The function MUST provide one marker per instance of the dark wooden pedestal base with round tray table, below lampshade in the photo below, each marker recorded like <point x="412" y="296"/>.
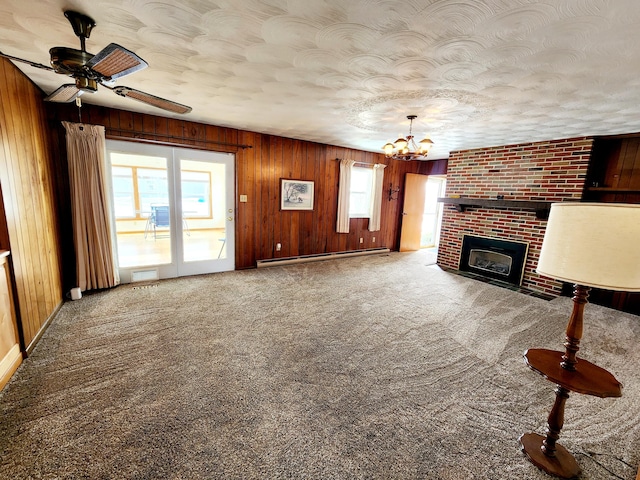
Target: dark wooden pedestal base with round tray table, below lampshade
<point x="569" y="375"/>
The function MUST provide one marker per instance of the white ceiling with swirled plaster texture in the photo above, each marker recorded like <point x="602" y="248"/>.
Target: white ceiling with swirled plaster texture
<point x="348" y="72"/>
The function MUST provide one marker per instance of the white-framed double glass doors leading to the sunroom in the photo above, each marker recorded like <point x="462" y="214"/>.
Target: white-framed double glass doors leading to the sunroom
<point x="173" y="210"/>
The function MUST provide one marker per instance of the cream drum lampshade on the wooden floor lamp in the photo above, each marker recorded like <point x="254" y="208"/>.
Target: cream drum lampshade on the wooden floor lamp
<point x="593" y="244"/>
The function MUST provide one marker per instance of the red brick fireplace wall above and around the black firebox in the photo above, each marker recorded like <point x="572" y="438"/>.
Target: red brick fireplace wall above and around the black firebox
<point x="544" y="171"/>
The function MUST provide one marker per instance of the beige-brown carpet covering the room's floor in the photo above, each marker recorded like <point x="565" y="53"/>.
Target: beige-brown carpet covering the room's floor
<point x="361" y="368"/>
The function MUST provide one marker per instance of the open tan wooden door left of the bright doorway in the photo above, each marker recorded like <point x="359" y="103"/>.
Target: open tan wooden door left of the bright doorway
<point x="413" y="209"/>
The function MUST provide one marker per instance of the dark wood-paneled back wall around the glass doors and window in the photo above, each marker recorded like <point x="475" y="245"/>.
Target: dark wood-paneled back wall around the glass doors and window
<point x="260" y="224"/>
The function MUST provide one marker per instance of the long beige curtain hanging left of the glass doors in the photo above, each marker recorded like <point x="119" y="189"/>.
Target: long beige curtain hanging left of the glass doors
<point x="92" y="236"/>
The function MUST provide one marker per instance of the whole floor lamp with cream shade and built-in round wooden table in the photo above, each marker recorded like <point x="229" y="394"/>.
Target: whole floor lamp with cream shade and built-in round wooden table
<point x="588" y="245"/>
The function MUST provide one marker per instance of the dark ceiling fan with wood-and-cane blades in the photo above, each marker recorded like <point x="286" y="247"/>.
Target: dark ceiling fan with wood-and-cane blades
<point x="89" y="70"/>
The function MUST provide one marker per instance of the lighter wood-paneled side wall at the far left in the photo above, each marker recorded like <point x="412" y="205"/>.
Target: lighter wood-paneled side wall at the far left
<point x="29" y="194"/>
